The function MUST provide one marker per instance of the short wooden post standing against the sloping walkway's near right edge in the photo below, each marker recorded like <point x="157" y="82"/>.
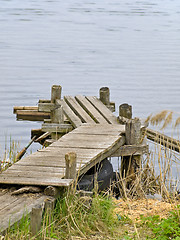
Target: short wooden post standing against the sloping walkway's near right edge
<point x="70" y="159"/>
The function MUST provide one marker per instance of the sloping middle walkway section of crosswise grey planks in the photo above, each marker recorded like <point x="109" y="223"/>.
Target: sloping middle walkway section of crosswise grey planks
<point x="47" y="167"/>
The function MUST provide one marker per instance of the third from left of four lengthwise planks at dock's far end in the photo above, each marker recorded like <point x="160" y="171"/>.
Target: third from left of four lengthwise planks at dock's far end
<point x="90" y="109"/>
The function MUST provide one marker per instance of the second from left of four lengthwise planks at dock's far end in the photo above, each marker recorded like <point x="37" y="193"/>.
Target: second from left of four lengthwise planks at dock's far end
<point x="78" y="110"/>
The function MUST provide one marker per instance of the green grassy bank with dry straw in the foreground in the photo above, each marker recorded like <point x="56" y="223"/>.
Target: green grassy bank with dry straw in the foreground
<point x="101" y="217"/>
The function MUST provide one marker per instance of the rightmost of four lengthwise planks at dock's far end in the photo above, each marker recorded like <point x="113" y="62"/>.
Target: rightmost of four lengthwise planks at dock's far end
<point x="105" y="112"/>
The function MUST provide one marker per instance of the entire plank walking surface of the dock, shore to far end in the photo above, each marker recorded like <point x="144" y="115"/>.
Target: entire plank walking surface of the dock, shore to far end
<point x="96" y="136"/>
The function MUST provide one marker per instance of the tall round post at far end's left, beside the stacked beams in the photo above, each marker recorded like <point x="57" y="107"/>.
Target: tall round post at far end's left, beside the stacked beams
<point x="57" y="115"/>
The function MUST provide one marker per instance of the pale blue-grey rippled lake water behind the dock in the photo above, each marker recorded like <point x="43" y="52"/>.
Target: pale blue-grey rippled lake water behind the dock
<point x="133" y="47"/>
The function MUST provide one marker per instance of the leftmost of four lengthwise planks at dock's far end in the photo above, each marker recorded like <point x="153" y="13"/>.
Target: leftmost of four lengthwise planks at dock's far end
<point x="72" y="117"/>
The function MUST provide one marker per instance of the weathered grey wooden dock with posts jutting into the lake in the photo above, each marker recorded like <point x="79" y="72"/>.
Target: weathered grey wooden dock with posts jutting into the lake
<point x="84" y="125"/>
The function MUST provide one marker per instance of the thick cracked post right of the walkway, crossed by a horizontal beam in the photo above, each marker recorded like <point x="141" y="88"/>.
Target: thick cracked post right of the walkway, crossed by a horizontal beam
<point x="133" y="137"/>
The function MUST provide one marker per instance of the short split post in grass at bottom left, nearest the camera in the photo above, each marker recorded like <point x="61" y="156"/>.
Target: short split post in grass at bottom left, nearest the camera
<point x="36" y="218"/>
